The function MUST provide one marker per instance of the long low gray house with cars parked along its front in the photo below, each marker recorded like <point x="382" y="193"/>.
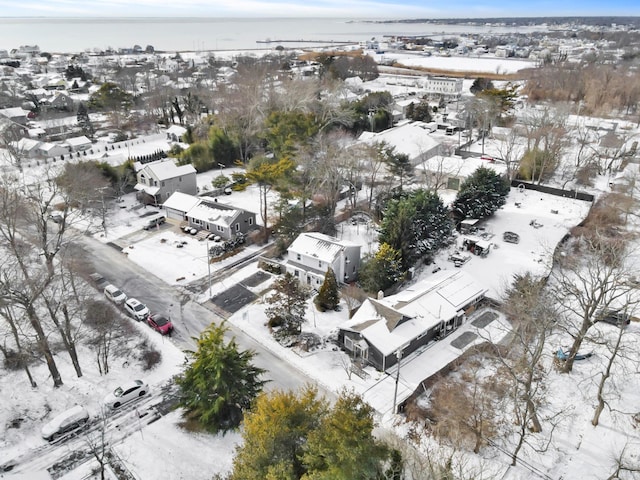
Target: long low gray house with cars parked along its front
<point x="209" y="215"/>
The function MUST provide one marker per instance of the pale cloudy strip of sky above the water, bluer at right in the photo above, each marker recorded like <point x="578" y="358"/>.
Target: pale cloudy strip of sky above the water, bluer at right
<point x="391" y="9"/>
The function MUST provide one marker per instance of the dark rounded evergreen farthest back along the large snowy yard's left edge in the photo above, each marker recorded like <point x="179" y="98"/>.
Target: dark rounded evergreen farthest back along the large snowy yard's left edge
<point x="480" y="195"/>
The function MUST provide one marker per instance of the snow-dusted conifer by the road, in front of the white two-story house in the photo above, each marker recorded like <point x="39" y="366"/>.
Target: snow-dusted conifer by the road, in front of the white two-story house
<point x="288" y="305"/>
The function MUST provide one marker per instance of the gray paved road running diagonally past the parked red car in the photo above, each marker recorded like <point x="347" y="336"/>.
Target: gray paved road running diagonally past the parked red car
<point x="189" y="317"/>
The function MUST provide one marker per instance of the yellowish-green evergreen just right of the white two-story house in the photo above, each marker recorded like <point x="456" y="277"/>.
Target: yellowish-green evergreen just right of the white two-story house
<point x="381" y="271"/>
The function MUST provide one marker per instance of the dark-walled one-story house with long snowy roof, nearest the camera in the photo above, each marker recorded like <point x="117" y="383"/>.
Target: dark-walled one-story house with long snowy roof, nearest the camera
<point x="384" y="329"/>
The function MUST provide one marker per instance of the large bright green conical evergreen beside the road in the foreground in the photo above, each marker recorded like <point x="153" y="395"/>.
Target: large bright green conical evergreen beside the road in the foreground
<point x="220" y="382"/>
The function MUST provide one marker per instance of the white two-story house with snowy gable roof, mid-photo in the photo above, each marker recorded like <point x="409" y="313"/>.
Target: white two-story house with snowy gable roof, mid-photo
<point x="312" y="254"/>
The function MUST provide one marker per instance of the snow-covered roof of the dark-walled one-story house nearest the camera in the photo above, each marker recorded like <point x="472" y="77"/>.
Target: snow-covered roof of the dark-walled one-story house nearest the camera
<point x="391" y="323"/>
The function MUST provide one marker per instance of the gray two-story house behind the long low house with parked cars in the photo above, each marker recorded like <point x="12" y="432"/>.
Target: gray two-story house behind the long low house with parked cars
<point x="158" y="180"/>
